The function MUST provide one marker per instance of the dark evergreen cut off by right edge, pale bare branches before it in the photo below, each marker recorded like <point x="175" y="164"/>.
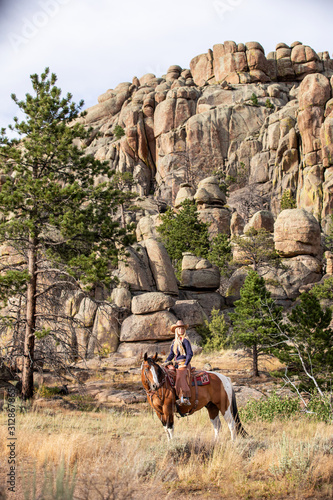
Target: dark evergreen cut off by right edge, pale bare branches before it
<point x="308" y="347"/>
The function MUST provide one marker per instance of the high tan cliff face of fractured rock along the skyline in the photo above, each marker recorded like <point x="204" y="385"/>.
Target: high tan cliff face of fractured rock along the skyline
<point x="235" y="112"/>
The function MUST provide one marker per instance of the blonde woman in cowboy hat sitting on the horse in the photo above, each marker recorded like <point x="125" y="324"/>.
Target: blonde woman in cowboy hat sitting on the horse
<point x="181" y="350"/>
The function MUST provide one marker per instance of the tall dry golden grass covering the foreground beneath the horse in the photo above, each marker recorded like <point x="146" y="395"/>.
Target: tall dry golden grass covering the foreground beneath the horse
<point x="118" y="455"/>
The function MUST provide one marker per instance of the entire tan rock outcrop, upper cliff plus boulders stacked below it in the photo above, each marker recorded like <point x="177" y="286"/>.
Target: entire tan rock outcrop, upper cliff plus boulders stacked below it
<point x="233" y="133"/>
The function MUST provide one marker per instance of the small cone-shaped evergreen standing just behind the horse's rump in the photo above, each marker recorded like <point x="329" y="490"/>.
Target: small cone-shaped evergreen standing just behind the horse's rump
<point x="254" y="320"/>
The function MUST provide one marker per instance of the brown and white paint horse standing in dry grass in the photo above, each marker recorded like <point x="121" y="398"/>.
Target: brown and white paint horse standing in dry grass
<point x="217" y="396"/>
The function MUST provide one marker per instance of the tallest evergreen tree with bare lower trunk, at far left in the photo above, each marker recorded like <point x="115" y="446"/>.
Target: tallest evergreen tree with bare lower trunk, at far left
<point x="52" y="213"/>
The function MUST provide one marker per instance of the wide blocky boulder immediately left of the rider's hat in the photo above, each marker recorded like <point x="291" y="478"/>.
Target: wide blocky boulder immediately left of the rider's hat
<point x="155" y="326"/>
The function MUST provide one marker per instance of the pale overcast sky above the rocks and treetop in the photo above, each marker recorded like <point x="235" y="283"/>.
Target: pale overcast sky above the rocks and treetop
<point x="92" y="45"/>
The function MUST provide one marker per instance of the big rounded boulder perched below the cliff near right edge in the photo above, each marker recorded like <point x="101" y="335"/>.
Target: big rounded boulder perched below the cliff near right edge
<point x="297" y="232"/>
